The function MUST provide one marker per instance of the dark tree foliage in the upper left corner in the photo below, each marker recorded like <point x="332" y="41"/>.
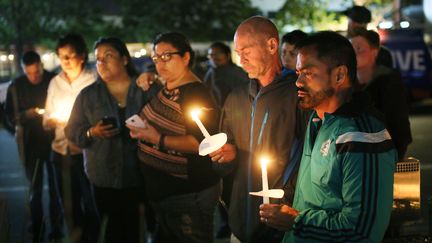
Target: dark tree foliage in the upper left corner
<point x="24" y="23"/>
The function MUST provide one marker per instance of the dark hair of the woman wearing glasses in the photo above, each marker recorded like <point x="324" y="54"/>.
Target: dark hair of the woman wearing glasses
<point x="177" y="40"/>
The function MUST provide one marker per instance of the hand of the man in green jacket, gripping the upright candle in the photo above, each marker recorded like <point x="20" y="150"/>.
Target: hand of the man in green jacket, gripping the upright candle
<point x="278" y="216"/>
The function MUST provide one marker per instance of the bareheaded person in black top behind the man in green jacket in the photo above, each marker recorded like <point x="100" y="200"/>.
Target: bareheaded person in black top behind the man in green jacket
<point x="385" y="87"/>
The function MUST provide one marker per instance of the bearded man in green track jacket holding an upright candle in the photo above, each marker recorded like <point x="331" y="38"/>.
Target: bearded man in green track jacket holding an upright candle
<point x="345" y="183"/>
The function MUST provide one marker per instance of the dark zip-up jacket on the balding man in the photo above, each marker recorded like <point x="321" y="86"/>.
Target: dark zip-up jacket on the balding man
<point x="262" y="122"/>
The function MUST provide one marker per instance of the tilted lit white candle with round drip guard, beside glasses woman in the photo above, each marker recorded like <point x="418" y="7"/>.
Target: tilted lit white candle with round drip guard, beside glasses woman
<point x="210" y="143"/>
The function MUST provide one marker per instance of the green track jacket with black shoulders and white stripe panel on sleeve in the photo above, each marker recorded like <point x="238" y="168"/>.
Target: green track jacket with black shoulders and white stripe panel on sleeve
<point x="345" y="183"/>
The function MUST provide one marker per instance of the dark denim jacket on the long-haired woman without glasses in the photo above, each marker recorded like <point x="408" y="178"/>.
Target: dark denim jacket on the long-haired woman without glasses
<point x="112" y="162"/>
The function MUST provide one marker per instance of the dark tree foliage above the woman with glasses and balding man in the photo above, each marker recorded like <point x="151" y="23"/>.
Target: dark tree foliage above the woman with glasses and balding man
<point x="203" y="20"/>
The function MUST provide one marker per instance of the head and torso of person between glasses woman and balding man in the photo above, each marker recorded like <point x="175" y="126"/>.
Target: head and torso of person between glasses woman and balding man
<point x="223" y="75"/>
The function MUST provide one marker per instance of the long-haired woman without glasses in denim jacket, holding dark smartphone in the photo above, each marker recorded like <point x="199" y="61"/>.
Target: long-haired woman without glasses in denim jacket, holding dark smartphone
<point x="97" y="126"/>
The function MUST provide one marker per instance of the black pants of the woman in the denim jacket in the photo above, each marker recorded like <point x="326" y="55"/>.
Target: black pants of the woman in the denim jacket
<point x="119" y="210"/>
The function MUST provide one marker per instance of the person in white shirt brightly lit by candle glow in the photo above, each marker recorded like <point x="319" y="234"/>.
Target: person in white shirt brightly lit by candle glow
<point x="62" y="92"/>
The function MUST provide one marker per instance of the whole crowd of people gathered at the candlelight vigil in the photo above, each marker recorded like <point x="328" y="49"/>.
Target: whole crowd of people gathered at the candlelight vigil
<point x="319" y="106"/>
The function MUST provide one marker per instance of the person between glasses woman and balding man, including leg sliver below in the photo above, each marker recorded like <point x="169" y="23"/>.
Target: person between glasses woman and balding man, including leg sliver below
<point x="221" y="78"/>
